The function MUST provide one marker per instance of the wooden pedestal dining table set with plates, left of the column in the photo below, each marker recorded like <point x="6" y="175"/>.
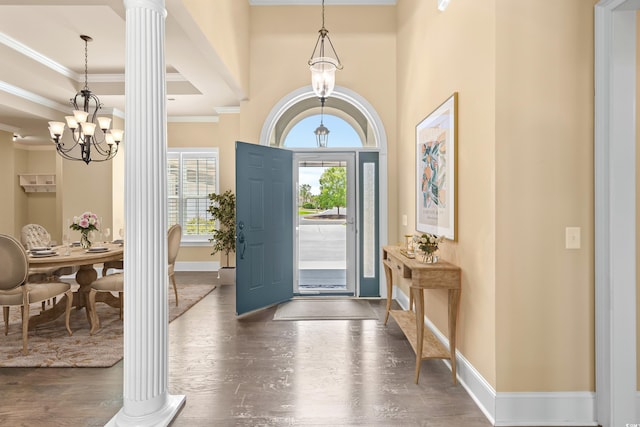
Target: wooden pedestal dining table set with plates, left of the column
<point x="85" y="260"/>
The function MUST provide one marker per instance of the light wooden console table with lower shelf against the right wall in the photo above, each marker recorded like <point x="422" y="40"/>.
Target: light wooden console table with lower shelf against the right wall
<point x="440" y="275"/>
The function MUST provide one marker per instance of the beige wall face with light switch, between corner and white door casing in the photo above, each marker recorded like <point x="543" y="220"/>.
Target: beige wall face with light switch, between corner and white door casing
<point x="544" y="183"/>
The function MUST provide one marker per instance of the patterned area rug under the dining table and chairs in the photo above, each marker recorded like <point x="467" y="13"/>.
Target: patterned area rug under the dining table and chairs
<point x="51" y="346"/>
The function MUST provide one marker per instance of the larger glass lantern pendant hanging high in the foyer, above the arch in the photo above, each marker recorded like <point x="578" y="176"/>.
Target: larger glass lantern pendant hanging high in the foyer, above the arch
<point x="324" y="63"/>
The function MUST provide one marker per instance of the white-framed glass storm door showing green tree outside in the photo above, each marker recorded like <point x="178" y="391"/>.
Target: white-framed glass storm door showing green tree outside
<point x="325" y="226"/>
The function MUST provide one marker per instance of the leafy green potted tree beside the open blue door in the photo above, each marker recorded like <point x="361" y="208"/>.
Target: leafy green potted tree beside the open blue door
<point x="222" y="208"/>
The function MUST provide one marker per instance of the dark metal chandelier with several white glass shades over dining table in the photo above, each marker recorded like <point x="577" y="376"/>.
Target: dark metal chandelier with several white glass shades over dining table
<point x="97" y="148"/>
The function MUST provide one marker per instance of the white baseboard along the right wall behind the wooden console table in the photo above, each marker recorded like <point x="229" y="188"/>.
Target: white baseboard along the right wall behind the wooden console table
<point x="517" y="409"/>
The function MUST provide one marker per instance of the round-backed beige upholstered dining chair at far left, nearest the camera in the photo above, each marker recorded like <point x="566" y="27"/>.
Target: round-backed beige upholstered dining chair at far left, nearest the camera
<point x="15" y="290"/>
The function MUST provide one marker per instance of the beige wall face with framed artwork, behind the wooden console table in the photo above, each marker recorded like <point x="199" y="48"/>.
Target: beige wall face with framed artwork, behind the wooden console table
<point x="429" y="71"/>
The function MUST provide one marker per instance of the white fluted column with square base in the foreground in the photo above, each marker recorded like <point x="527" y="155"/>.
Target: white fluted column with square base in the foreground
<point x="146" y="401"/>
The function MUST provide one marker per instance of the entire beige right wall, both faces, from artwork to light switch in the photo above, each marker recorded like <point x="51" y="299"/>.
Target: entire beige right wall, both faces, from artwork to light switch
<point x="524" y="74"/>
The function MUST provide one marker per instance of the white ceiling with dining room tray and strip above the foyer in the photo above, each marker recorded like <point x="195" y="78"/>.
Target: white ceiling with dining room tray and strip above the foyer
<point x="42" y="59"/>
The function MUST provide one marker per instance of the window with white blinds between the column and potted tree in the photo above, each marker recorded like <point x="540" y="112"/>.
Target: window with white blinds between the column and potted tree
<point x="191" y="176"/>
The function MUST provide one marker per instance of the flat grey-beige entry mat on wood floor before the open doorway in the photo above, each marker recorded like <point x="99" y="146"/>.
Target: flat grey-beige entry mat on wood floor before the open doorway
<point x="325" y="309"/>
